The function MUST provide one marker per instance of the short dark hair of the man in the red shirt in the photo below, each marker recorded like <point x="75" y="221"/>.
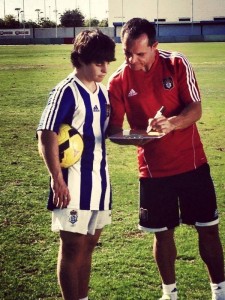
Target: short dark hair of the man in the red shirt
<point x="137" y="26"/>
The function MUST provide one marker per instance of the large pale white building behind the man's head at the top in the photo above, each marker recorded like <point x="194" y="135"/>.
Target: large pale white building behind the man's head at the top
<point x="166" y="10"/>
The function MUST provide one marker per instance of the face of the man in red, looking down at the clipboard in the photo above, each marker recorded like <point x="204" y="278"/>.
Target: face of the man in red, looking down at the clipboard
<point x="139" y="55"/>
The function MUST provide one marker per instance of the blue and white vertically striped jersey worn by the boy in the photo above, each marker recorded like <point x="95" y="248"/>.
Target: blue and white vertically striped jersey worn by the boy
<point x="72" y="103"/>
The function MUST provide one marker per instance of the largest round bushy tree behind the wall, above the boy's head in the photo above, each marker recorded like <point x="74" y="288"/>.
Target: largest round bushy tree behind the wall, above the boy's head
<point x="72" y="18"/>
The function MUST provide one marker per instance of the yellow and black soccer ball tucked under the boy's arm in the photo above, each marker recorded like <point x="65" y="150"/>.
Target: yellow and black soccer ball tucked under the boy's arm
<point x="70" y="145"/>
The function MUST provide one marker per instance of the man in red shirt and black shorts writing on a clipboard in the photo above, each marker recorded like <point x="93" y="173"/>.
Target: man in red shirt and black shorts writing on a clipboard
<point x="175" y="182"/>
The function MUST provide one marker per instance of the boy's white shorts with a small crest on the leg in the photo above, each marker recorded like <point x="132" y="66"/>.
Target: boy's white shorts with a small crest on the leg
<point x="80" y="221"/>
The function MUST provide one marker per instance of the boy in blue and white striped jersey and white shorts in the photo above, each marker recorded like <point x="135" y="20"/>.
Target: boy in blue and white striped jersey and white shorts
<point x="80" y="196"/>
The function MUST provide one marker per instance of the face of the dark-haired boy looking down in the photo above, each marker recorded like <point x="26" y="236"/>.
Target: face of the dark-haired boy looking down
<point x="94" y="71"/>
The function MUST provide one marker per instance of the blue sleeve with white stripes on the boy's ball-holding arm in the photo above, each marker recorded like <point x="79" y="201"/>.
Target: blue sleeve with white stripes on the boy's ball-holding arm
<point x="59" y="109"/>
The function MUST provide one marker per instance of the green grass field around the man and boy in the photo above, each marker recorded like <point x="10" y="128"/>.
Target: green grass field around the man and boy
<point x="123" y="266"/>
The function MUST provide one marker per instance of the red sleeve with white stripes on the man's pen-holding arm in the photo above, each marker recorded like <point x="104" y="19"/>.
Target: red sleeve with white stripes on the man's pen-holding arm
<point x="187" y="83"/>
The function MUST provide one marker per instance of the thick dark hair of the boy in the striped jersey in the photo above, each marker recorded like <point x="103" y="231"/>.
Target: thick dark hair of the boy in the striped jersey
<point x="92" y="46"/>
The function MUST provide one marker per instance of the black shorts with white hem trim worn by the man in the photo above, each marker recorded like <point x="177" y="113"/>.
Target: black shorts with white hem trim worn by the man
<point x="185" y="198"/>
